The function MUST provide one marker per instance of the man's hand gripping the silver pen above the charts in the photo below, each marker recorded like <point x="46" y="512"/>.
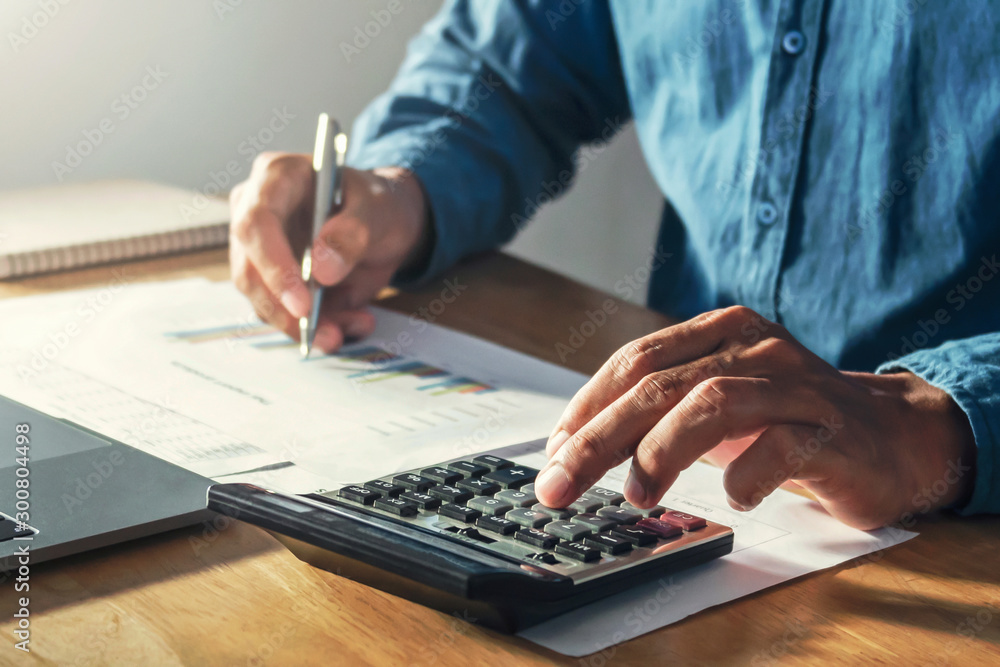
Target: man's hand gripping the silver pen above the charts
<point x="381" y="227"/>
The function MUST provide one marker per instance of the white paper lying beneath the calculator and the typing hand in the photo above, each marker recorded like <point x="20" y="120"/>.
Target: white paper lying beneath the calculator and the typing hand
<point x="786" y="537"/>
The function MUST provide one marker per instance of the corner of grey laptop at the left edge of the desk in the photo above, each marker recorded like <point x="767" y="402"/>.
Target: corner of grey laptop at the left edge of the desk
<point x="65" y="489"/>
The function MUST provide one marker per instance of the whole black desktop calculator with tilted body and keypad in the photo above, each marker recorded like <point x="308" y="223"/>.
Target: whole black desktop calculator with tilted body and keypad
<point x="468" y="536"/>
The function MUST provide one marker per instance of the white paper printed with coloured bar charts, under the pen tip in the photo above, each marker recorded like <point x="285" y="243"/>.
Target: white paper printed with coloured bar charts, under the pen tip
<point x="184" y="371"/>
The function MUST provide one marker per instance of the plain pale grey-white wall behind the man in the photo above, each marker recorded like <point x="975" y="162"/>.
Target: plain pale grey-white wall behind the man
<point x="225" y="66"/>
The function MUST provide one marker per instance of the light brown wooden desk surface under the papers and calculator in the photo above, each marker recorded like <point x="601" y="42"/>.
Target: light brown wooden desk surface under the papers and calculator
<point x="235" y="596"/>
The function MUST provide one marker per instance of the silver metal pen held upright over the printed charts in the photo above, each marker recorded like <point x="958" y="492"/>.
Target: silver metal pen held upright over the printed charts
<point x="328" y="165"/>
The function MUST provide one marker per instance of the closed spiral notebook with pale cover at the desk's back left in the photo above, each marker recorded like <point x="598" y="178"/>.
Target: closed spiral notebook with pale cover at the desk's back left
<point x="72" y="226"/>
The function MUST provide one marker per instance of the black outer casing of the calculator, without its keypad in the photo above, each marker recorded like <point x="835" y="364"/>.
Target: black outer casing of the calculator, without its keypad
<point x="419" y="565"/>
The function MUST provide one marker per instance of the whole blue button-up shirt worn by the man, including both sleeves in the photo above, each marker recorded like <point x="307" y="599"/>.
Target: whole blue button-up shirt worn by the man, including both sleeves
<point x="833" y="165"/>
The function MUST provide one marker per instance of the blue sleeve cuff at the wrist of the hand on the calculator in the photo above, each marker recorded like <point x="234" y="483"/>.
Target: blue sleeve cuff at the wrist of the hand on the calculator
<point x="969" y="371"/>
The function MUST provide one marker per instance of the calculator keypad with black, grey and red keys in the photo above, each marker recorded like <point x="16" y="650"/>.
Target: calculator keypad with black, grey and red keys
<point x="489" y="502"/>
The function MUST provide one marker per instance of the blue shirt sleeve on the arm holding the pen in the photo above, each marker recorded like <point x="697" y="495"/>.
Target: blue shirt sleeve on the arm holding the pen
<point x="488" y="109"/>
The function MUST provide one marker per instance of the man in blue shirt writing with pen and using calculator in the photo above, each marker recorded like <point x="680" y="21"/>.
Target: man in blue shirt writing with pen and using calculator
<point x="829" y="166"/>
